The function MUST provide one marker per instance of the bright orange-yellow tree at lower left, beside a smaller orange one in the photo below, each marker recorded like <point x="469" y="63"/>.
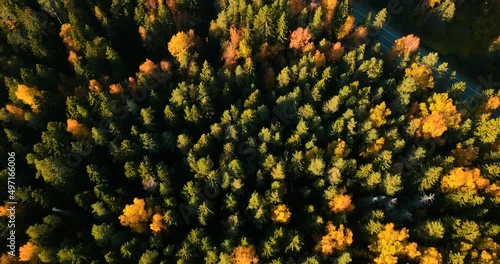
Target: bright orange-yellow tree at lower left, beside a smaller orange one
<point x="136" y="216"/>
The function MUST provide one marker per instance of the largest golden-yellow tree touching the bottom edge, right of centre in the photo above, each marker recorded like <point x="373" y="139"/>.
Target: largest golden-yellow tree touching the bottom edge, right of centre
<point x="392" y="243"/>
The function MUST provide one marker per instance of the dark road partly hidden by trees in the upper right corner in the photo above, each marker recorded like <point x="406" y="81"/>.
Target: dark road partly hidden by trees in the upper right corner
<point x="388" y="35"/>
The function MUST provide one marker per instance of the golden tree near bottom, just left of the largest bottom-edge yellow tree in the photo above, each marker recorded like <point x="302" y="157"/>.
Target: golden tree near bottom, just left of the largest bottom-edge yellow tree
<point x="335" y="239"/>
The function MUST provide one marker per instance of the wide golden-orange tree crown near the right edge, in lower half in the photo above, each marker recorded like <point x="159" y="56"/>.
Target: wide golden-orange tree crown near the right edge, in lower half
<point x="463" y="180"/>
